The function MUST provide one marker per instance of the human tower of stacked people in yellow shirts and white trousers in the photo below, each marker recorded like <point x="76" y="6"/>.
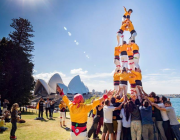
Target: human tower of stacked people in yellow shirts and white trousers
<point x="126" y="59"/>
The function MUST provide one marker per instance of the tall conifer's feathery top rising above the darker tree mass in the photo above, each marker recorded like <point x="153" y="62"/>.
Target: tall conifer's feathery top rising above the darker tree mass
<point x="22" y="34"/>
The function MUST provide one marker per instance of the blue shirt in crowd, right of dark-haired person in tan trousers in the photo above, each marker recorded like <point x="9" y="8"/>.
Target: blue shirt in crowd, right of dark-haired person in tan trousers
<point x="146" y="114"/>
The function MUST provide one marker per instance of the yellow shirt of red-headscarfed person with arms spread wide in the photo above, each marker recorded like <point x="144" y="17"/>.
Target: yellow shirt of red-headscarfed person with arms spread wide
<point x="79" y="115"/>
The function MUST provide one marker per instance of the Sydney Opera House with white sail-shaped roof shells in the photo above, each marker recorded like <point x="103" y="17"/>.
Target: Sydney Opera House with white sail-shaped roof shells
<point x="75" y="86"/>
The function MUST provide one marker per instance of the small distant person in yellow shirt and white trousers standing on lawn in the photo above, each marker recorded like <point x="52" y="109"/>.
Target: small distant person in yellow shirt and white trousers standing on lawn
<point x="62" y="107"/>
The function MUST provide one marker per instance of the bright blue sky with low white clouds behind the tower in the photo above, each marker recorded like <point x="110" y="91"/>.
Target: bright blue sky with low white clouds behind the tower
<point x="93" y="24"/>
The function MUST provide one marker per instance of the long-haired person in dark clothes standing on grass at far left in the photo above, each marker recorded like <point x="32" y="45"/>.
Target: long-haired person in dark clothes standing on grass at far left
<point x="14" y="119"/>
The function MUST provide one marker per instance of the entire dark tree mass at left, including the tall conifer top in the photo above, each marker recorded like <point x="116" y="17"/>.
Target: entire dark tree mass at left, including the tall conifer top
<point x="16" y="67"/>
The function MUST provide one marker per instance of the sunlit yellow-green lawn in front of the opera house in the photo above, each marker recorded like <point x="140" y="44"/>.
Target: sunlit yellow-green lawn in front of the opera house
<point x="40" y="130"/>
